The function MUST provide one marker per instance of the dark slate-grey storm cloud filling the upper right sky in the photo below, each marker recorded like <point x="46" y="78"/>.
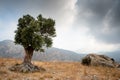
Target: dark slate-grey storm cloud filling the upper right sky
<point x="102" y="17"/>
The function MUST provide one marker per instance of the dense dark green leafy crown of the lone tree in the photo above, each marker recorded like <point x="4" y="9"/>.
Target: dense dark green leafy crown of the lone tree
<point x="35" y="33"/>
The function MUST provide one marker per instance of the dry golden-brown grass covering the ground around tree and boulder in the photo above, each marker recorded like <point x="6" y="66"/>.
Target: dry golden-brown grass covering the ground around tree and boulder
<point x="58" y="71"/>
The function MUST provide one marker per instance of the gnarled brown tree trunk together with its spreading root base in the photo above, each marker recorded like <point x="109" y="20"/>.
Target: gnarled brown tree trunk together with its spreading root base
<point x="27" y="66"/>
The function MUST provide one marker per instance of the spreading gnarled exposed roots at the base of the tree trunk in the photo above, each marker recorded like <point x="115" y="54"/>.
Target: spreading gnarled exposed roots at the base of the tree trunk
<point x="26" y="67"/>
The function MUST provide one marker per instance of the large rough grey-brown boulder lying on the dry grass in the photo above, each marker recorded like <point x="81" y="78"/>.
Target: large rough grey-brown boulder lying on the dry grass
<point x="98" y="60"/>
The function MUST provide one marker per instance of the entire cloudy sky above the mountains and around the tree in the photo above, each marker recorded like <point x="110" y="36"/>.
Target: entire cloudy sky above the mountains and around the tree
<point x="84" y="26"/>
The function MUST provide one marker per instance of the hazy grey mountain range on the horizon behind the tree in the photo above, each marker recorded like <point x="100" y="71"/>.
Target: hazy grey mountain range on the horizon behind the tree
<point x="8" y="49"/>
